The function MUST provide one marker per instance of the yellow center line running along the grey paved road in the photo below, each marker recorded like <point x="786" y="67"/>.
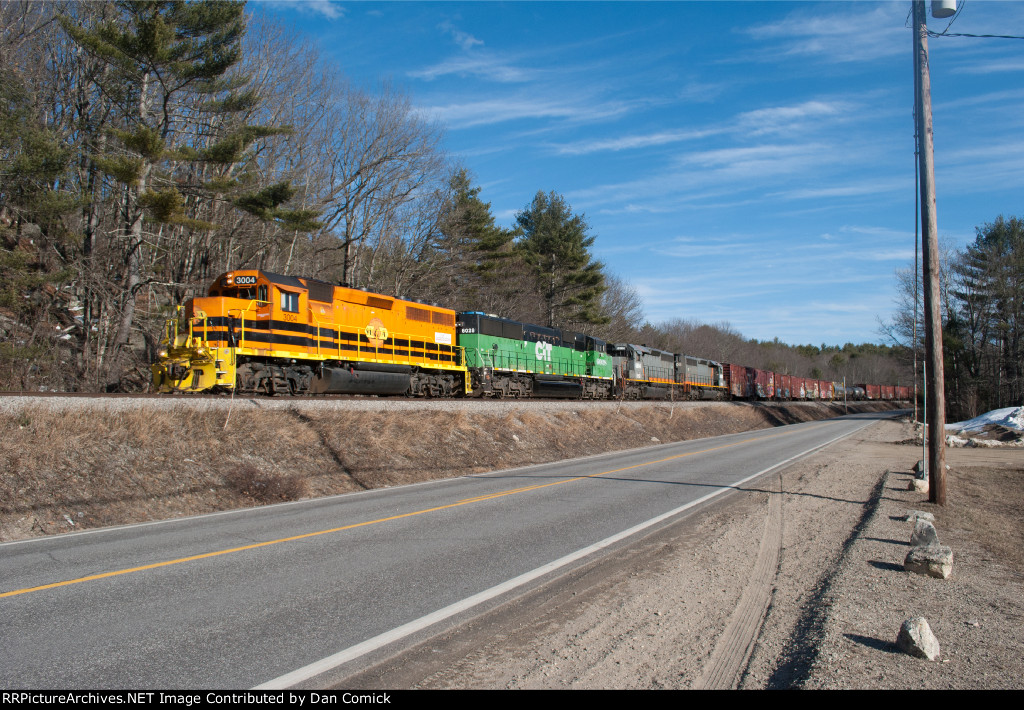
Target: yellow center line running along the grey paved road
<point x="465" y="502"/>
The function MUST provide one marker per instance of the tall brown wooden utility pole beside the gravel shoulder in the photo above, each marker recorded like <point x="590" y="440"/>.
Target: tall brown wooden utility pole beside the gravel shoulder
<point x="935" y="407"/>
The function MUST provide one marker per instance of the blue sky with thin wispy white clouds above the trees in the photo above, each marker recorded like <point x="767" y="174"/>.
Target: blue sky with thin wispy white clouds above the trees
<point x="741" y="162"/>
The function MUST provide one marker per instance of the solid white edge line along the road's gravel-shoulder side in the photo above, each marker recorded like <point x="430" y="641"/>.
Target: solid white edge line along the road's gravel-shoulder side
<point x="400" y="633"/>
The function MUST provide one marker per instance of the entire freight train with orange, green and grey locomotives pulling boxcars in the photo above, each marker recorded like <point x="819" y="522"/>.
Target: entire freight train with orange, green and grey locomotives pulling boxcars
<point x="264" y="333"/>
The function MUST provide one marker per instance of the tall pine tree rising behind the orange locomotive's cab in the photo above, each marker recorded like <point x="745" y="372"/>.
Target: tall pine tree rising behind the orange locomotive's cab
<point x="175" y="147"/>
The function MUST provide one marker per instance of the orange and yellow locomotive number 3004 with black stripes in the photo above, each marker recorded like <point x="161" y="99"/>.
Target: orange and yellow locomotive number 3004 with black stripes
<point x="273" y="335"/>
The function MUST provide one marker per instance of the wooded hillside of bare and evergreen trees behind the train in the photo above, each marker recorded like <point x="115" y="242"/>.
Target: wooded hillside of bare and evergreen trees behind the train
<point x="147" y="147"/>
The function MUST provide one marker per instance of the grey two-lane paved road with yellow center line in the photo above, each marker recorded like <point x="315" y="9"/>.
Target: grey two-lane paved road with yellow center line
<point x="265" y="596"/>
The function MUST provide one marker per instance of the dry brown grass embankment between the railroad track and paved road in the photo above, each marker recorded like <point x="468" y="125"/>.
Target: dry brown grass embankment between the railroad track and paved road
<point x="97" y="468"/>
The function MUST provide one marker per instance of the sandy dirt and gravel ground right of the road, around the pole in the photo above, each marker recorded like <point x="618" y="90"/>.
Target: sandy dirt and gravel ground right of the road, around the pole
<point x="797" y="581"/>
